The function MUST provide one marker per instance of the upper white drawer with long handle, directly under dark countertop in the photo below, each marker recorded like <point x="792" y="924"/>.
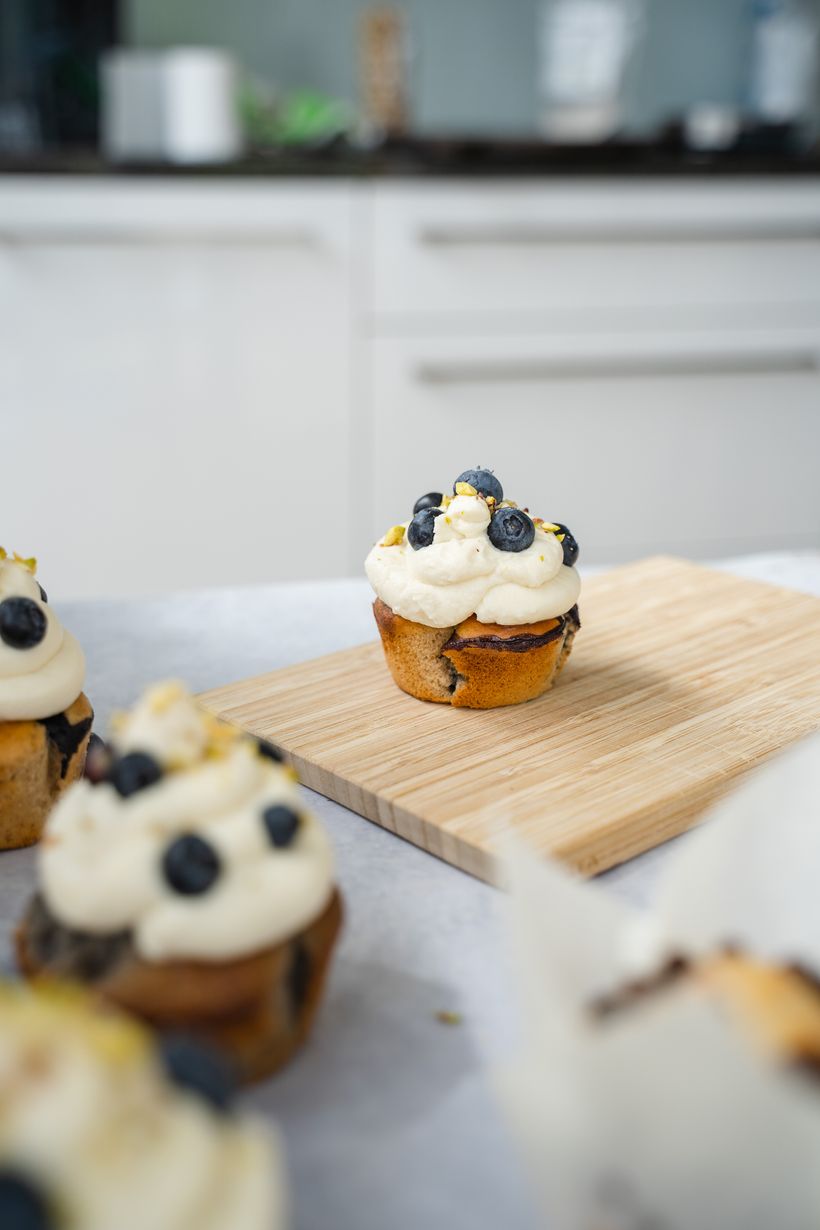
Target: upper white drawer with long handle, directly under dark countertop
<point x="495" y="250"/>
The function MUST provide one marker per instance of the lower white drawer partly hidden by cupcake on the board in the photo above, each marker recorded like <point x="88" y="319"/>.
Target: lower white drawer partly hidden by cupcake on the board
<point x="696" y="445"/>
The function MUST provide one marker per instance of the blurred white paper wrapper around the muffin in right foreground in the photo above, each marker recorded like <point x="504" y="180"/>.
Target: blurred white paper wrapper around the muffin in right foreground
<point x="666" y="1115"/>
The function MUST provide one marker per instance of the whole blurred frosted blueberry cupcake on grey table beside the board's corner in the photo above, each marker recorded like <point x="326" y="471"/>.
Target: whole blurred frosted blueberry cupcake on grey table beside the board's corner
<point x="185" y="881"/>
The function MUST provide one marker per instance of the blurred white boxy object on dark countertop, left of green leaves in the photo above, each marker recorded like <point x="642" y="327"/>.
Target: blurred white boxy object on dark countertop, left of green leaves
<point x="176" y="106"/>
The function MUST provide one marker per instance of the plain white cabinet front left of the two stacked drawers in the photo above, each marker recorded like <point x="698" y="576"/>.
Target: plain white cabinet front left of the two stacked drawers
<point x="175" y="365"/>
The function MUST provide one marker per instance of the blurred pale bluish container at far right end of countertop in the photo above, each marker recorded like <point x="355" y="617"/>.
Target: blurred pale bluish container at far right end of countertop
<point x="784" y="61"/>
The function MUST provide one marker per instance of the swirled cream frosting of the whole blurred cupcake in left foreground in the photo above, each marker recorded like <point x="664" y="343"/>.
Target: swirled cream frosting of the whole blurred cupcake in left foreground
<point x="103" y="857"/>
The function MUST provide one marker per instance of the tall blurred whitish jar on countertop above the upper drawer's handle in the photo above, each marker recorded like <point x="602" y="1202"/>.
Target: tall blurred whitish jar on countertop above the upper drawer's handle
<point x="585" y="51"/>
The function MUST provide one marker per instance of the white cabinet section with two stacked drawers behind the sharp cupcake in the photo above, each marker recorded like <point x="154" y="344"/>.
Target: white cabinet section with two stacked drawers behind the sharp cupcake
<point x="637" y="359"/>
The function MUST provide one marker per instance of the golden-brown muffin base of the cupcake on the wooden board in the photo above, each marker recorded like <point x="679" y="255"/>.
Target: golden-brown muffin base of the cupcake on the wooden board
<point x="475" y="666"/>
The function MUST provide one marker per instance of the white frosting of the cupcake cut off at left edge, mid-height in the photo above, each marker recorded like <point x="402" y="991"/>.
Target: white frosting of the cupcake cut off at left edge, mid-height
<point x="46" y="680"/>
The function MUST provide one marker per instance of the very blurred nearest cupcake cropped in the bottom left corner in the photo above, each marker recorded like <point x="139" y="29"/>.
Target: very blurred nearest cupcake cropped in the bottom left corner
<point x="99" y="1130"/>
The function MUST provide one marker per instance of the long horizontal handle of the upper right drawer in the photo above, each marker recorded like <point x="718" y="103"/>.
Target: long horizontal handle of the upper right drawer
<point x="618" y="233"/>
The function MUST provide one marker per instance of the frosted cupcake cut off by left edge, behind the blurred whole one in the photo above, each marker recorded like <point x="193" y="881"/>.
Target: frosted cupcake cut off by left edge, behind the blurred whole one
<point x="45" y="716"/>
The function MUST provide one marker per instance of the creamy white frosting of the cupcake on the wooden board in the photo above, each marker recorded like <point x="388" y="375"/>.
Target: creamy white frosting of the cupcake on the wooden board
<point x="462" y="574"/>
